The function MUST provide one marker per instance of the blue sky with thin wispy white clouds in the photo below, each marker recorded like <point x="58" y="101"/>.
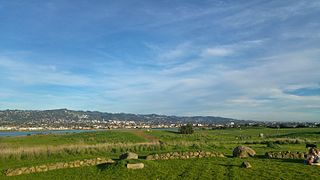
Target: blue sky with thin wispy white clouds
<point x="256" y="60"/>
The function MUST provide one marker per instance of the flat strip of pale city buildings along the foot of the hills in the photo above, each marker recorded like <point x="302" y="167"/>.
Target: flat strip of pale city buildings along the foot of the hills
<point x="117" y="124"/>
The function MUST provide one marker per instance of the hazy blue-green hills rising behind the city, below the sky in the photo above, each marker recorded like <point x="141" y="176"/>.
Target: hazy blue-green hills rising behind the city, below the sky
<point x="71" y="116"/>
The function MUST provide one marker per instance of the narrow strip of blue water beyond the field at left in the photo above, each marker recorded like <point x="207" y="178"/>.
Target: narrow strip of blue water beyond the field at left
<point x="28" y="133"/>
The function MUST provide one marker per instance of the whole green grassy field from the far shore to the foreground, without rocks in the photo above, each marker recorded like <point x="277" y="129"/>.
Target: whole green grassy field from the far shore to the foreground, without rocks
<point x="40" y="149"/>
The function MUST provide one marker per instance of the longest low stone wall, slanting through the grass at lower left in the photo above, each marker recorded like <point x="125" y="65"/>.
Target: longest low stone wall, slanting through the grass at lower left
<point x="58" y="165"/>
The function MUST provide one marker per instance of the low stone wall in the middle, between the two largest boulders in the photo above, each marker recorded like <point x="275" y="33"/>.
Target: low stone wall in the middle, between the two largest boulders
<point x="183" y="155"/>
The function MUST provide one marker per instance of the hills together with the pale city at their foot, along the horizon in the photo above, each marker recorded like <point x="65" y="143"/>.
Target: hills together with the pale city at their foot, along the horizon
<point x="64" y="119"/>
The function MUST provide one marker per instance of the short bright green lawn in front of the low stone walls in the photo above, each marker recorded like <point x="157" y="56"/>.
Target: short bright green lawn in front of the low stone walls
<point x="205" y="168"/>
